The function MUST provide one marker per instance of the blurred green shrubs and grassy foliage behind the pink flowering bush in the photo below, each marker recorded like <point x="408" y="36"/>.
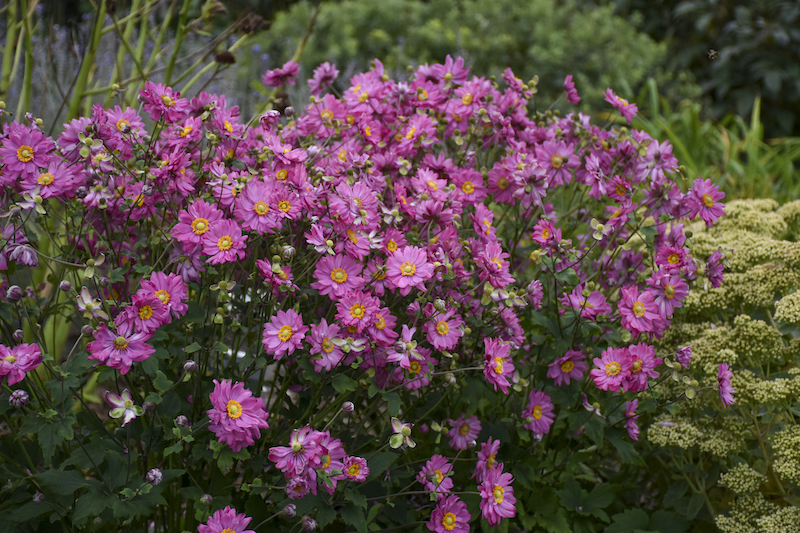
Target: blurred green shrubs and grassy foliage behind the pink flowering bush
<point x="719" y="78"/>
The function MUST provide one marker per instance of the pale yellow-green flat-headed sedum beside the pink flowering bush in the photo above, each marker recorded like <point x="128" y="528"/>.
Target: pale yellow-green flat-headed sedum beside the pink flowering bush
<point x="737" y="464"/>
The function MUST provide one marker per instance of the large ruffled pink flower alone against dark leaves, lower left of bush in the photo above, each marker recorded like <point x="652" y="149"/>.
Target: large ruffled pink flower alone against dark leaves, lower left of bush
<point x="236" y="417"/>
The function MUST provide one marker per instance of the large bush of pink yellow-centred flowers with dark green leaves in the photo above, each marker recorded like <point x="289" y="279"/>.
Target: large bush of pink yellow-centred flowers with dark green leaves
<point x="416" y="304"/>
